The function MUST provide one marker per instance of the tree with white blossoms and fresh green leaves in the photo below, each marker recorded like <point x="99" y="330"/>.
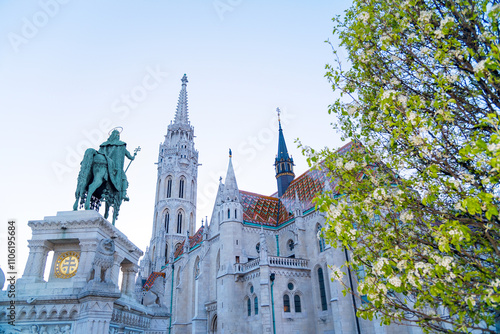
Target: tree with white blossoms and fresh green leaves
<point x="418" y="196"/>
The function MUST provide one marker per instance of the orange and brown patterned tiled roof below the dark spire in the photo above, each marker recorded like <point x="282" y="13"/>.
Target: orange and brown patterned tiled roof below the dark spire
<point x="261" y="209"/>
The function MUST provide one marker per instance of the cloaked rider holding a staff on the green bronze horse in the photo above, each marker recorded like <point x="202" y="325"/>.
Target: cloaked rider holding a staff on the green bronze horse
<point x="115" y="152"/>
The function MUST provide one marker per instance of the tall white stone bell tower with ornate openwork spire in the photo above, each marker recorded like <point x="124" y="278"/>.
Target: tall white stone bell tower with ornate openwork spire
<point x="176" y="188"/>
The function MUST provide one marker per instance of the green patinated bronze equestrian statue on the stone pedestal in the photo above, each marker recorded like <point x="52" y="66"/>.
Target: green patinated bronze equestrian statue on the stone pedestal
<point x="102" y="178"/>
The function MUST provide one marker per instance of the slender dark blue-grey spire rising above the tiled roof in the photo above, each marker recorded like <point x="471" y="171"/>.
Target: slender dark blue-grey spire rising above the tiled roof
<point x="283" y="163"/>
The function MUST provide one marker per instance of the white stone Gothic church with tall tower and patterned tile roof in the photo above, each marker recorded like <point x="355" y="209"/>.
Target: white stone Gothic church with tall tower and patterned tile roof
<point x="257" y="265"/>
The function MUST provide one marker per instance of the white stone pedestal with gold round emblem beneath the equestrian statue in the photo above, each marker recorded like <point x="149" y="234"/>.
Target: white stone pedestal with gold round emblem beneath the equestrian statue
<point x="81" y="294"/>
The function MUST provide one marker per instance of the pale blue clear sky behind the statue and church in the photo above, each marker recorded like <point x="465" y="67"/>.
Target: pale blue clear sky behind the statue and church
<point x="71" y="70"/>
